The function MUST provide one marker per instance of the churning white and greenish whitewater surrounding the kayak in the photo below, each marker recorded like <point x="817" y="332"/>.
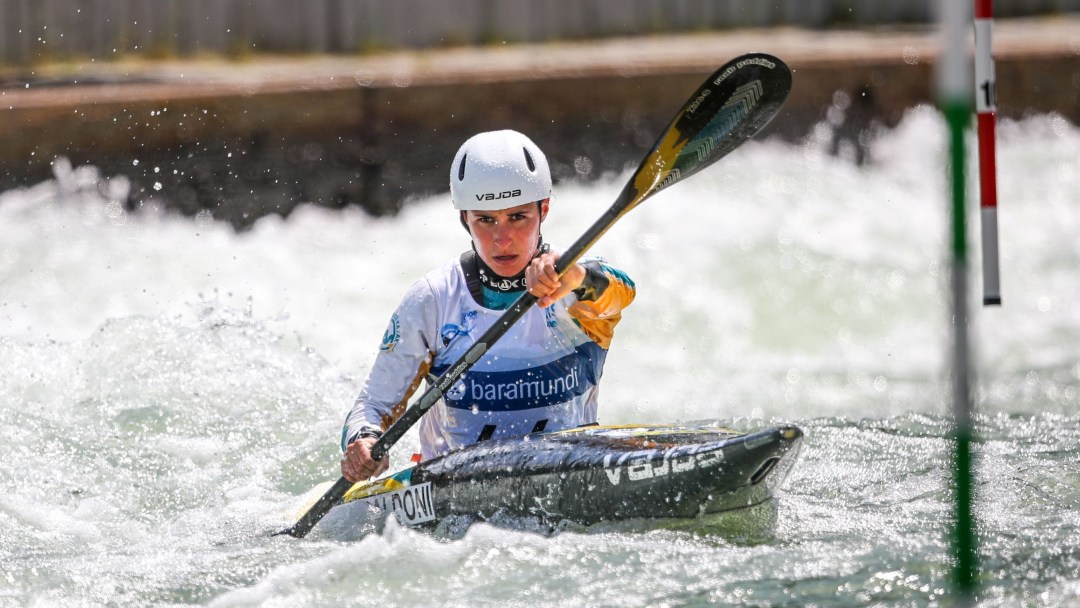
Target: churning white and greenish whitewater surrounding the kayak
<point x="172" y="388"/>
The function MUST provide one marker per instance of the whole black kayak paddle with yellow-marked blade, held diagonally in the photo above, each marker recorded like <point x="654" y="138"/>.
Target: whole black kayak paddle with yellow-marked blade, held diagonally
<point x="728" y="110"/>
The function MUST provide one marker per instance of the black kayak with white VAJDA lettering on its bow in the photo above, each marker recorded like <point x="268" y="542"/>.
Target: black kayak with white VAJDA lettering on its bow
<point x="587" y="476"/>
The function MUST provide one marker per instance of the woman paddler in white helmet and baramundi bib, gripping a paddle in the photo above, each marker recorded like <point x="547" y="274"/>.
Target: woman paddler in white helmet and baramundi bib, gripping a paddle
<point x="543" y="375"/>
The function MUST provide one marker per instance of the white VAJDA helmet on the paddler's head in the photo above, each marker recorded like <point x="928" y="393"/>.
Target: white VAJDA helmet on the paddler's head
<point x="498" y="170"/>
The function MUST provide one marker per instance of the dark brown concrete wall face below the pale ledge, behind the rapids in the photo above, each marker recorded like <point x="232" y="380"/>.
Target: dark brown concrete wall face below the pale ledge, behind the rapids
<point x="244" y="156"/>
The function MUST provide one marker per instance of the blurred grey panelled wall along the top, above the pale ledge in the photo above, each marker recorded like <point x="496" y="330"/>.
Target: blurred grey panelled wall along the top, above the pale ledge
<point x="37" y="31"/>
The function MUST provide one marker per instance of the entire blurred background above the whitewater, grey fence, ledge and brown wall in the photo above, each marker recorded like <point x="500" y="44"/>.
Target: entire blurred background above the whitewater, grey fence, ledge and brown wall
<point x="242" y="109"/>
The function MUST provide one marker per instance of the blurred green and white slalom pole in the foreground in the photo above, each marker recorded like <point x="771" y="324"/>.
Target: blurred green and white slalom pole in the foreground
<point x="954" y="93"/>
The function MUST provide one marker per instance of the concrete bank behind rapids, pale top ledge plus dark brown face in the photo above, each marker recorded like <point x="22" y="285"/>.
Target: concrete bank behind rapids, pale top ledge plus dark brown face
<point x="242" y="140"/>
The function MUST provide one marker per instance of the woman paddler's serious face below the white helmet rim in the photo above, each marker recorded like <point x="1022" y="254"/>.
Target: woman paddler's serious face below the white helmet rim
<point x="507" y="239"/>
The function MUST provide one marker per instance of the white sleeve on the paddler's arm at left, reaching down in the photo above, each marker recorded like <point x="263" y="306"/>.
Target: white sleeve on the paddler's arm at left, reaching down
<point x="404" y="359"/>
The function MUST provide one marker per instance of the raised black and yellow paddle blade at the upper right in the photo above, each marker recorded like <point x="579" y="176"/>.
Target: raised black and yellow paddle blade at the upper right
<point x="730" y="109"/>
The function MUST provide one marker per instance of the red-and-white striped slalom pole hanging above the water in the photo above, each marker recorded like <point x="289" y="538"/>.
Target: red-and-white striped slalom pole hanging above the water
<point x="985" y="109"/>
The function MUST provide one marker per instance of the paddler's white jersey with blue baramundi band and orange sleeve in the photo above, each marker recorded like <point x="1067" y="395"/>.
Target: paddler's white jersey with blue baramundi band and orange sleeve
<point x="542" y="375"/>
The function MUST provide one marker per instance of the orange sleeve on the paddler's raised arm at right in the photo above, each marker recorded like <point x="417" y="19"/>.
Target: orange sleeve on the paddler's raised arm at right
<point x="602" y="298"/>
